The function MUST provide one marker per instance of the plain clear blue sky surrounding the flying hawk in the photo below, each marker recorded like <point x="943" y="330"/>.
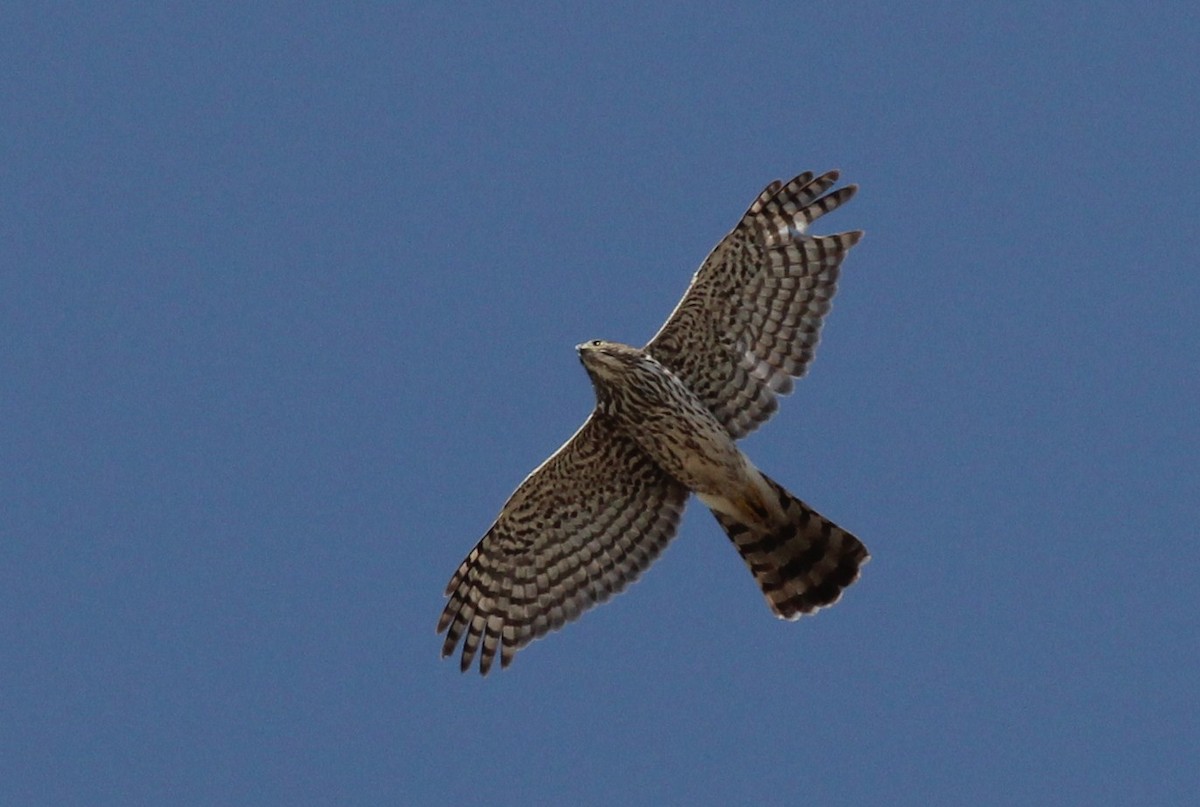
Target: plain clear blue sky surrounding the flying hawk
<point x="289" y="304"/>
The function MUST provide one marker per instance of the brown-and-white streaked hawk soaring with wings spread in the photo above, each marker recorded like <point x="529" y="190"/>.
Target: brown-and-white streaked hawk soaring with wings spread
<point x="596" y="515"/>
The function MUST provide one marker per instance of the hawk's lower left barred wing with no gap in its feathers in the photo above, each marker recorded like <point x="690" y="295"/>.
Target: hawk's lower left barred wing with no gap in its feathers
<point x="580" y="529"/>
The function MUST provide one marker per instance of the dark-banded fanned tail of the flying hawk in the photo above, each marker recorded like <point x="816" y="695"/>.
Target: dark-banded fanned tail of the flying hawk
<point x="802" y="564"/>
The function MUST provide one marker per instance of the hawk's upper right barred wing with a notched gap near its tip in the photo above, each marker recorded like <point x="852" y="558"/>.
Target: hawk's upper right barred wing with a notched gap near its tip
<point x="752" y="319"/>
